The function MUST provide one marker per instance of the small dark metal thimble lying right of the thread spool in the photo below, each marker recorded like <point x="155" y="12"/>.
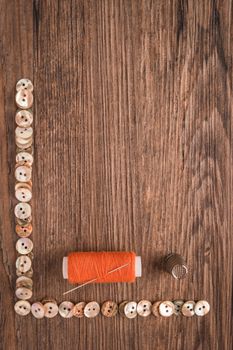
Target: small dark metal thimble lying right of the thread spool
<point x="176" y="265"/>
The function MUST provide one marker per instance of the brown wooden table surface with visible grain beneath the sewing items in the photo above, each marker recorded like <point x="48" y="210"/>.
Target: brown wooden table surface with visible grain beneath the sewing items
<point x="133" y="151"/>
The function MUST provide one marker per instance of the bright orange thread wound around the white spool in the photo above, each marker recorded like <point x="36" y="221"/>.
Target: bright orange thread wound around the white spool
<point x="87" y="266"/>
